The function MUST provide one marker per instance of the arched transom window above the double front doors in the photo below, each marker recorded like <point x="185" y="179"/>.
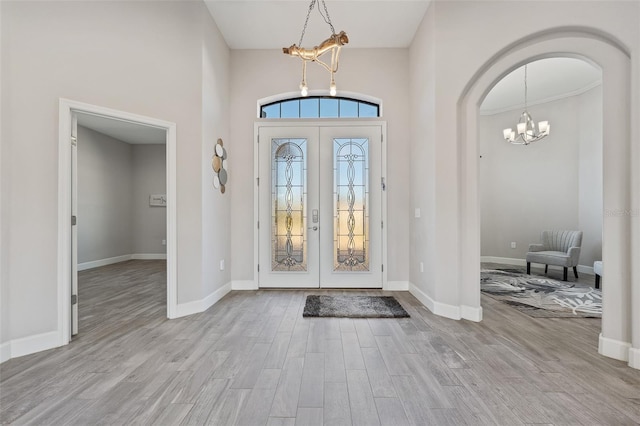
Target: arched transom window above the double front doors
<point x="320" y="107"/>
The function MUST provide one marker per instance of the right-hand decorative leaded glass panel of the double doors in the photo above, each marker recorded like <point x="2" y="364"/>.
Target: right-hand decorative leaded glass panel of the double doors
<point x="351" y="199"/>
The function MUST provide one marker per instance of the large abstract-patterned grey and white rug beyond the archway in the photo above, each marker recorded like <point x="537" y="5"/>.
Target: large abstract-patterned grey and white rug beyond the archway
<point x="541" y="297"/>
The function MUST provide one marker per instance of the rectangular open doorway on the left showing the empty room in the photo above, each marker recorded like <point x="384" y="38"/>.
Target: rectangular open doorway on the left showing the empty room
<point x="122" y="222"/>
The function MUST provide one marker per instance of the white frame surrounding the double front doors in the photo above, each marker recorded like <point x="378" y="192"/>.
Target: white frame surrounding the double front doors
<point x="316" y="123"/>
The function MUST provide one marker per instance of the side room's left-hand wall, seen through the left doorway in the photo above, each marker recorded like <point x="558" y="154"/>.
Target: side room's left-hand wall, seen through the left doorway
<point x="104" y="196"/>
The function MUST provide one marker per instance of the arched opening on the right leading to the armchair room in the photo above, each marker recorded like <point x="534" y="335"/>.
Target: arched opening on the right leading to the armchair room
<point x="555" y="183"/>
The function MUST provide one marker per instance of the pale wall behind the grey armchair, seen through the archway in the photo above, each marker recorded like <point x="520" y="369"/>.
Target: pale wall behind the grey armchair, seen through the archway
<point x="555" y="183"/>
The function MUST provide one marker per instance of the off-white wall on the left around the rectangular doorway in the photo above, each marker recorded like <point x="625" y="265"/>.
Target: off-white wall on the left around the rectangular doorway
<point x="139" y="57"/>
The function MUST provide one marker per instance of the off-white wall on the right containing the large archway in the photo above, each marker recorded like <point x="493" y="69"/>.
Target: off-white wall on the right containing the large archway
<point x="463" y="71"/>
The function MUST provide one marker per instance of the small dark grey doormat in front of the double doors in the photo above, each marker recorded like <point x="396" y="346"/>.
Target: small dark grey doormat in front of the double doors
<point x="353" y="307"/>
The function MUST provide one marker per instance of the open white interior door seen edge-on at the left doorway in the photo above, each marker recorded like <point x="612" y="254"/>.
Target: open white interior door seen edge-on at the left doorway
<point x="74" y="227"/>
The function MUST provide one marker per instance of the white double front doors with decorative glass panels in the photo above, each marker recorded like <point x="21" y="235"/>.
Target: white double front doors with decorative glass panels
<point x="320" y="206"/>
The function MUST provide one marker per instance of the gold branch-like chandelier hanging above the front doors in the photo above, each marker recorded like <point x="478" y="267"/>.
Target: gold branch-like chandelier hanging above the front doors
<point x="333" y="44"/>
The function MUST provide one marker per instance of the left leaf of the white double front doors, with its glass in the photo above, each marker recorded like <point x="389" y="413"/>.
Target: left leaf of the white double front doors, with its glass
<point x="288" y="191"/>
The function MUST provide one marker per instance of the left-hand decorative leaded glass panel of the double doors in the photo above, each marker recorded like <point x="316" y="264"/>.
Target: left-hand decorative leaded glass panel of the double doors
<point x="288" y="200"/>
